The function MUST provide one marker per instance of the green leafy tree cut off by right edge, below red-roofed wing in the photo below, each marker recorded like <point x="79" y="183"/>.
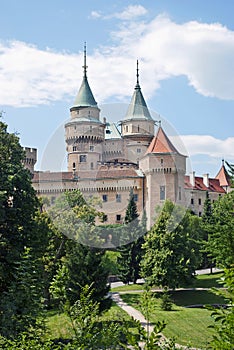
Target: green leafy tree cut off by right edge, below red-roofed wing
<point x="221" y="234"/>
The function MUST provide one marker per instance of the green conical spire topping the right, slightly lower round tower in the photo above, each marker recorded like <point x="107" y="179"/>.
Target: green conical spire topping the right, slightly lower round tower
<point x="138" y="108"/>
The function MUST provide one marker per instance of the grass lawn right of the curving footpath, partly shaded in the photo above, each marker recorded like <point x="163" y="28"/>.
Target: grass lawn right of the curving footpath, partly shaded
<point x="189" y="326"/>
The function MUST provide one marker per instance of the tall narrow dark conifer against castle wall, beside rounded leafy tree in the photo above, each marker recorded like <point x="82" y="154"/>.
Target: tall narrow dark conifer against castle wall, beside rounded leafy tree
<point x="131" y="252"/>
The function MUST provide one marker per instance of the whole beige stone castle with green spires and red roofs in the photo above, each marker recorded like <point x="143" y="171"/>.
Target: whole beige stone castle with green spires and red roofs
<point x="106" y="162"/>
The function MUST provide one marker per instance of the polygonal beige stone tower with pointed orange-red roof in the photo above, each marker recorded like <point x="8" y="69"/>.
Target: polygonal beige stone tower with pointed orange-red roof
<point x="164" y="168"/>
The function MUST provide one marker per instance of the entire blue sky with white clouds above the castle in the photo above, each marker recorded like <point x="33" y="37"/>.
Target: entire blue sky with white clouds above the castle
<point x="185" y="50"/>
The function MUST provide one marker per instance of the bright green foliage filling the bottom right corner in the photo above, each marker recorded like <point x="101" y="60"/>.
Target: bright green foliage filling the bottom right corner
<point x="224" y="317"/>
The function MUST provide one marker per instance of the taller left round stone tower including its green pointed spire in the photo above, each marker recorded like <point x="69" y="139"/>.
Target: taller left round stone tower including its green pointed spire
<point x="84" y="132"/>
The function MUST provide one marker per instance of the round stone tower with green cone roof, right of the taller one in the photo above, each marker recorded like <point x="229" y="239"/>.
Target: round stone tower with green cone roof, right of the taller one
<point x="138" y="126"/>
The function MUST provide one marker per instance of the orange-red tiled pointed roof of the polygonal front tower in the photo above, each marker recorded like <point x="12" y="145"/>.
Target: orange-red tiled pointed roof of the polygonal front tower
<point x="161" y="144"/>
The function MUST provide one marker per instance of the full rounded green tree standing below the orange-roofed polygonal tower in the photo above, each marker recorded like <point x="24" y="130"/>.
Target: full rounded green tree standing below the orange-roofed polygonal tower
<point x="171" y="250"/>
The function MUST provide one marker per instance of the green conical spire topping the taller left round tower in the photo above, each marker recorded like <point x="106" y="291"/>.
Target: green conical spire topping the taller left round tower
<point x="85" y="97"/>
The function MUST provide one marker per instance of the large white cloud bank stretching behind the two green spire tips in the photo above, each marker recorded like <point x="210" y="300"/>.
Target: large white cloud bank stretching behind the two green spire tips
<point x="204" y="53"/>
